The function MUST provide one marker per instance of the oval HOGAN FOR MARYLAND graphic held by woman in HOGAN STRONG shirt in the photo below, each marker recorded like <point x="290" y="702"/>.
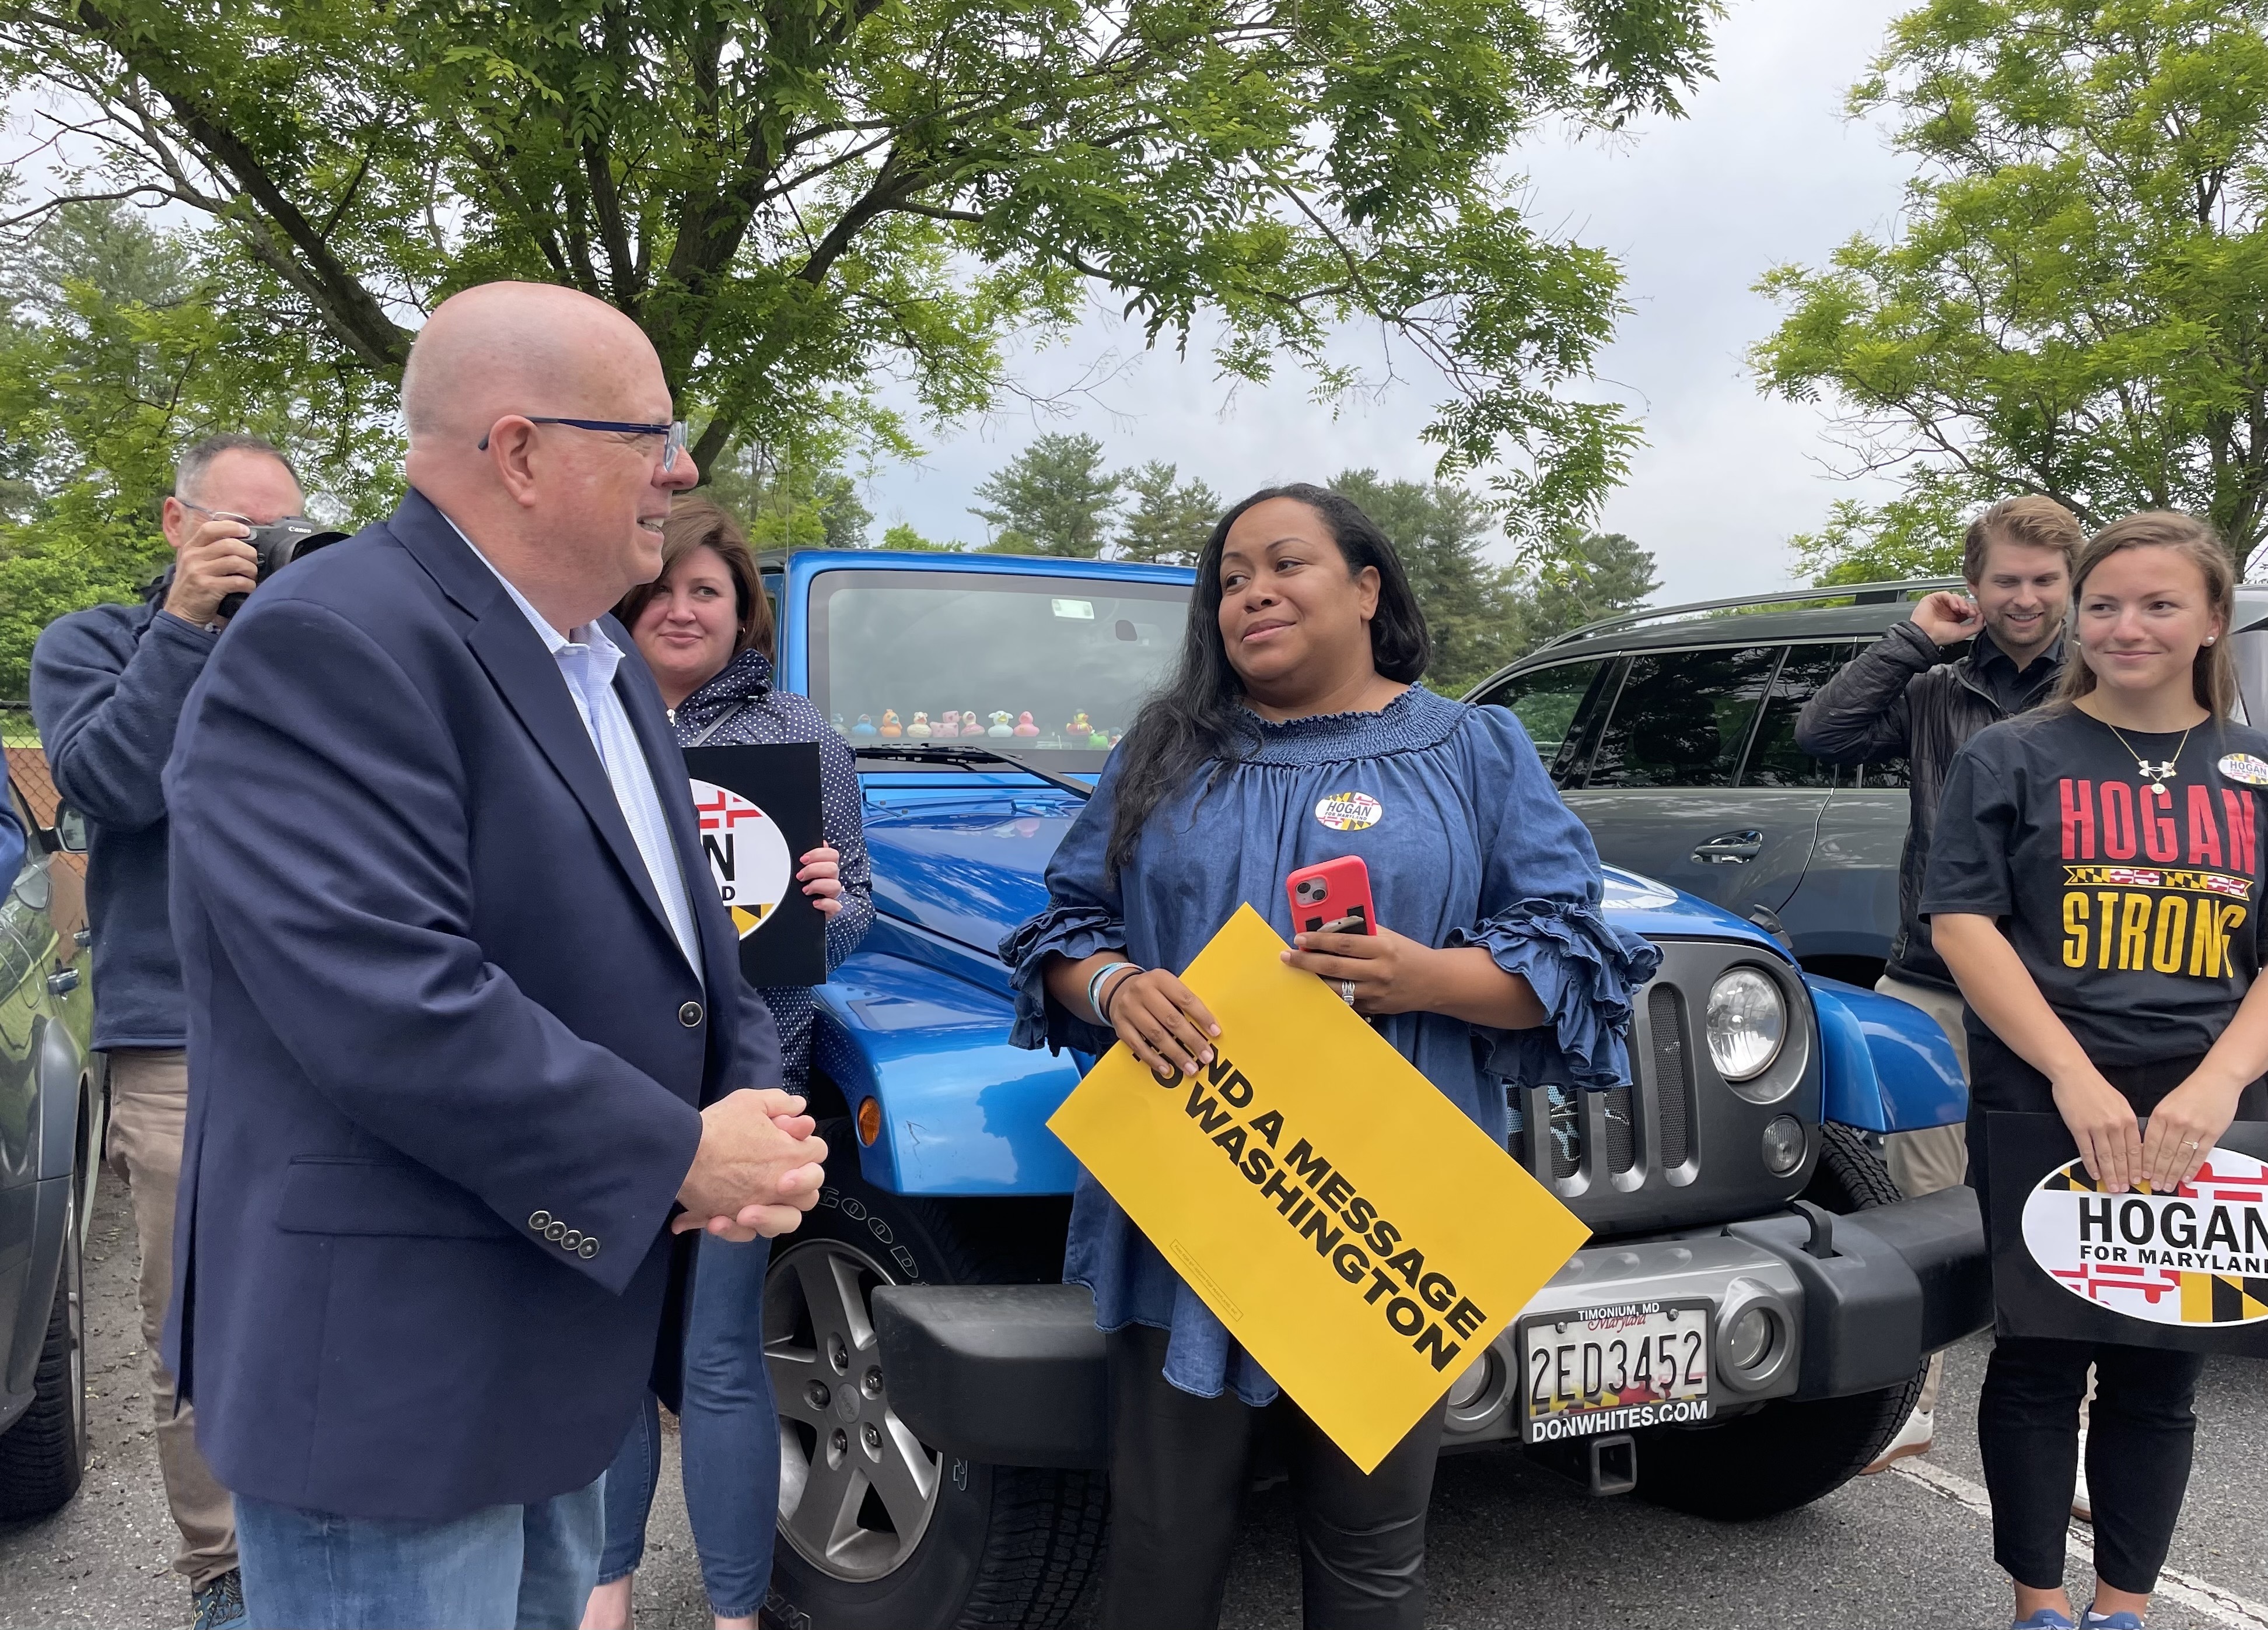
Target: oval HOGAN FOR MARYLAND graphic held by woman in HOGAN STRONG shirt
<point x="2197" y="1257"/>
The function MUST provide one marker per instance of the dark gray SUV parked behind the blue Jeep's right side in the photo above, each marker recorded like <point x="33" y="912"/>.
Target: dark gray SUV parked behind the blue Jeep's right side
<point x="1673" y="733"/>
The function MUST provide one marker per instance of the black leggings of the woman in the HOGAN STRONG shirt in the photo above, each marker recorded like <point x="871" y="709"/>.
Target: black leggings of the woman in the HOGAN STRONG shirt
<point x="2142" y="1425"/>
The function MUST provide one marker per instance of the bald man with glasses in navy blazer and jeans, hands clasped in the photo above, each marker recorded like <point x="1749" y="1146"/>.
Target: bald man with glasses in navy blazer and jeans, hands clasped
<point x="468" y="1037"/>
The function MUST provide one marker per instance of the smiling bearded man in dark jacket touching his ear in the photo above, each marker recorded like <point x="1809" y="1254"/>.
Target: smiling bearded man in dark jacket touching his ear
<point x="1899" y="699"/>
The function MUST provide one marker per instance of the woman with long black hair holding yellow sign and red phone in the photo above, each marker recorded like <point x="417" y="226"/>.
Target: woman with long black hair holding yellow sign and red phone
<point x="1294" y="733"/>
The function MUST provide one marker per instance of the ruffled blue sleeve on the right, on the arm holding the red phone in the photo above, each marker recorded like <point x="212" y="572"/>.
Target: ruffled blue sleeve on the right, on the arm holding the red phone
<point x="1541" y="919"/>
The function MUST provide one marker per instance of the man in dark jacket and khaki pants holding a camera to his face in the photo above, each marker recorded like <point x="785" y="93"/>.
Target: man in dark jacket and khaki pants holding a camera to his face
<point x="108" y="690"/>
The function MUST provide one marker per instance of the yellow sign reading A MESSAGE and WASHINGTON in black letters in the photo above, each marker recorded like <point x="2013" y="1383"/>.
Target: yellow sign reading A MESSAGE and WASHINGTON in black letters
<point x="1357" y="1234"/>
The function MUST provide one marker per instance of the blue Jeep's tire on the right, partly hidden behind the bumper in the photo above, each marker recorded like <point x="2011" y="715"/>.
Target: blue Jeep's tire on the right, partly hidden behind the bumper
<point x="1786" y="1454"/>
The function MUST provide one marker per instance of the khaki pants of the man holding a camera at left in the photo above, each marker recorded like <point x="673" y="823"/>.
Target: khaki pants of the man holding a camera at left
<point x="149" y="1114"/>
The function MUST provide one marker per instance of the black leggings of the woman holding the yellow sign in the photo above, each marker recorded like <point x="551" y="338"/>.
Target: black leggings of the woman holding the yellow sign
<point x="1178" y="1477"/>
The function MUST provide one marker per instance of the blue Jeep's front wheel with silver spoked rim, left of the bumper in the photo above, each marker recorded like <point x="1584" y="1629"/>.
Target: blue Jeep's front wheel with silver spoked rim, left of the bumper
<point x="879" y="1531"/>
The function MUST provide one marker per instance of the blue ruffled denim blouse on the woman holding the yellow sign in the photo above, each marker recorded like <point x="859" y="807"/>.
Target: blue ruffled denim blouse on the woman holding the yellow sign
<point x="1469" y="847"/>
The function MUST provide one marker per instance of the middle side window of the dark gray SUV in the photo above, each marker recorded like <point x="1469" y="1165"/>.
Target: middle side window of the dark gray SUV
<point x="1684" y="718"/>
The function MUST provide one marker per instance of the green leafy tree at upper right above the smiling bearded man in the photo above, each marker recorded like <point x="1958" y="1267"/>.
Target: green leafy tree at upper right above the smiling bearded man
<point x="2079" y="298"/>
